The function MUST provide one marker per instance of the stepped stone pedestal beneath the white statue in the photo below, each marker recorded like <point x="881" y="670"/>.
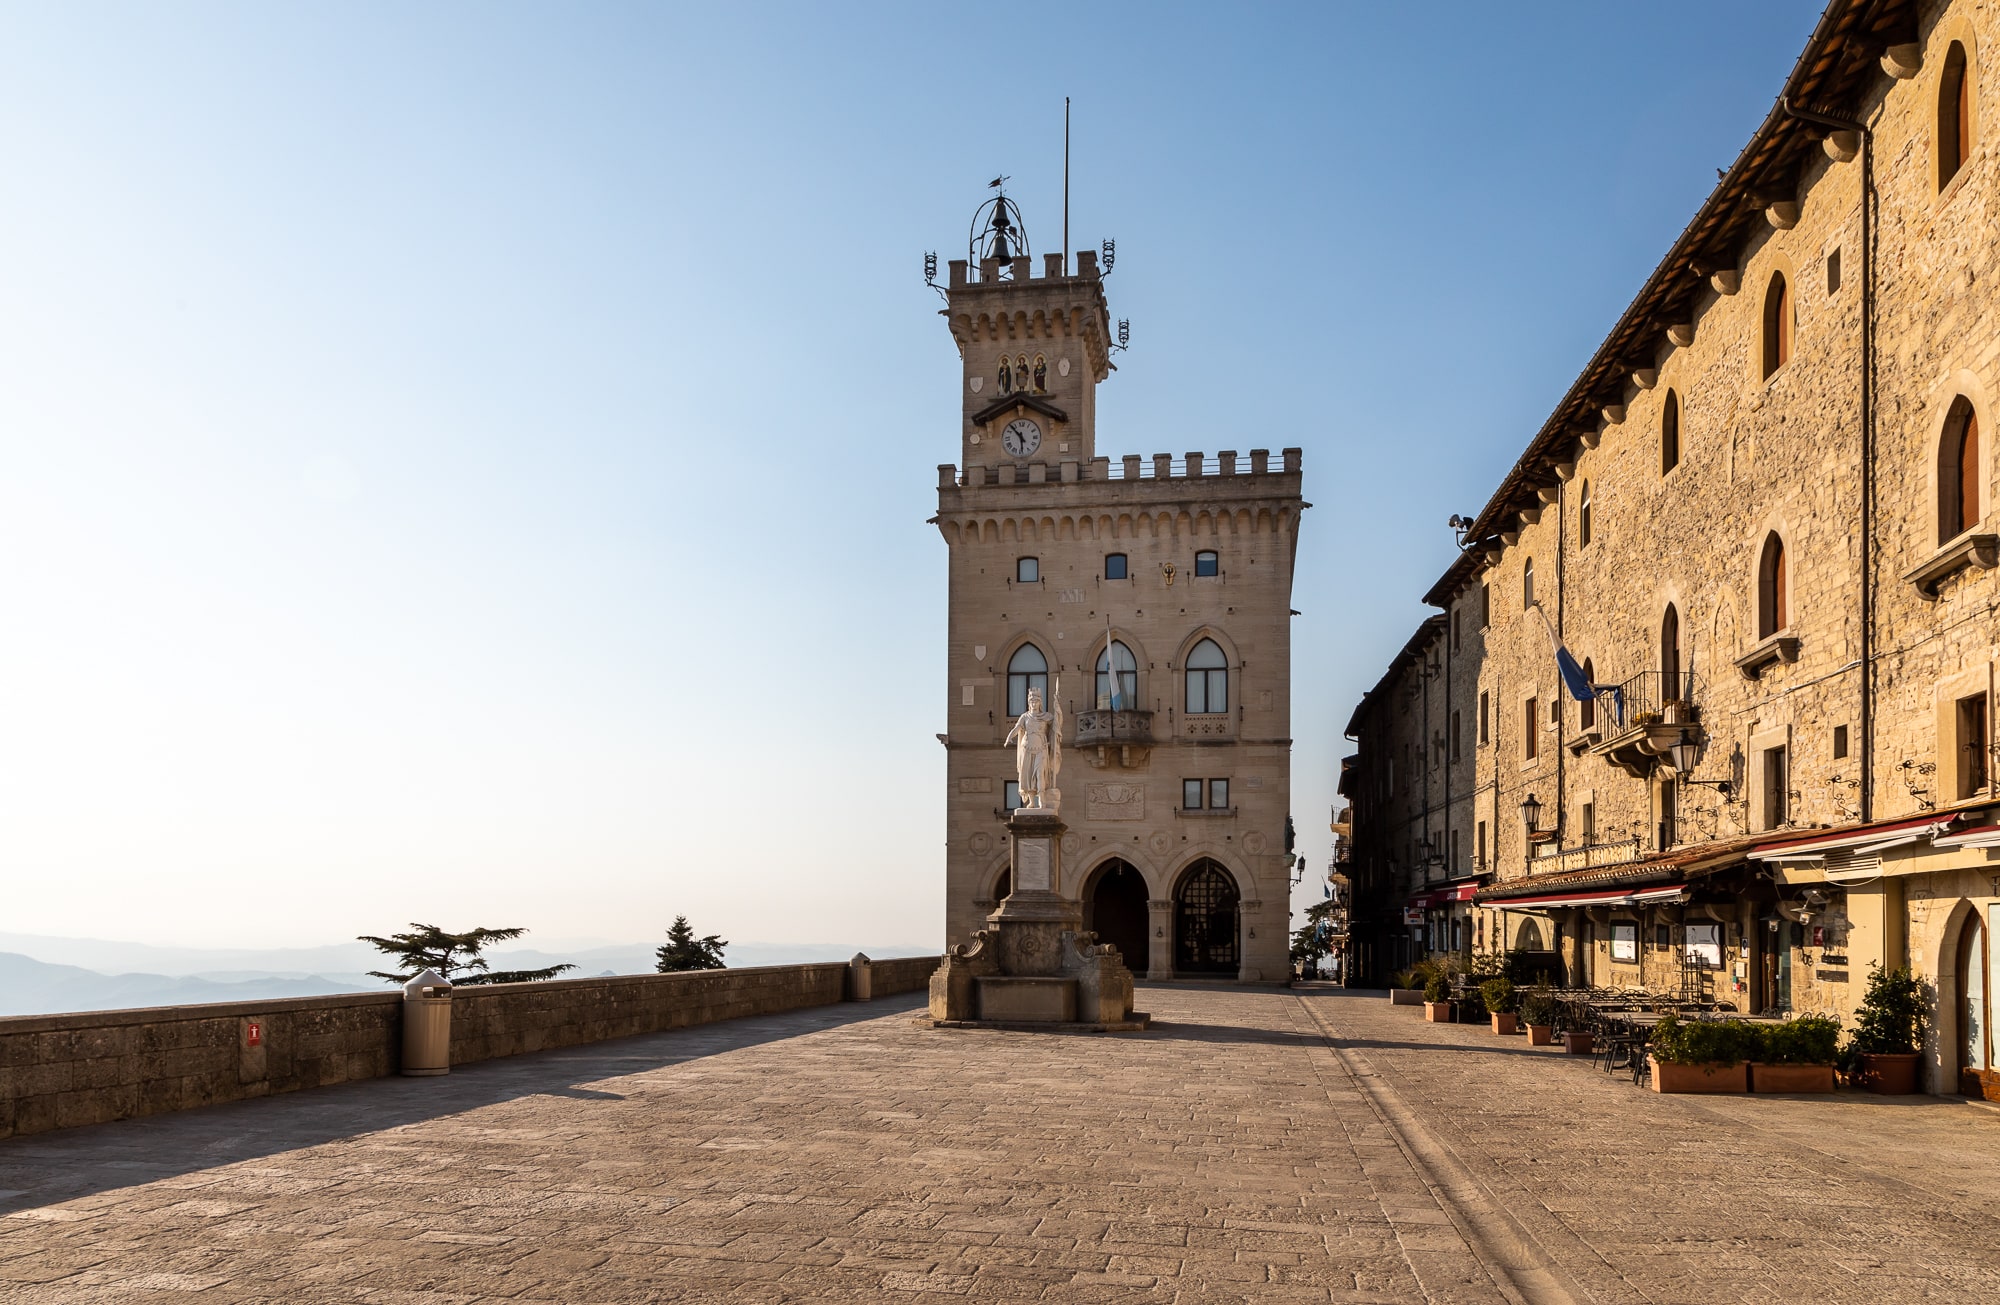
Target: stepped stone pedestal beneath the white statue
<point x="1033" y="966"/>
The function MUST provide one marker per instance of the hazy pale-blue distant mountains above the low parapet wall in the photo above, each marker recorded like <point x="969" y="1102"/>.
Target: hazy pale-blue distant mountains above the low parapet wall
<point x="45" y="976"/>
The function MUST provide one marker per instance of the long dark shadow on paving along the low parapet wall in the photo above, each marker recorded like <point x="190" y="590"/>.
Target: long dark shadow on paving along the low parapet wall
<point x="69" y="1164"/>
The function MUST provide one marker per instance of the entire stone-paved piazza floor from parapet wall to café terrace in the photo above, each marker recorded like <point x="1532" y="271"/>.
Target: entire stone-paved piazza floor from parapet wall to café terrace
<point x="1259" y="1146"/>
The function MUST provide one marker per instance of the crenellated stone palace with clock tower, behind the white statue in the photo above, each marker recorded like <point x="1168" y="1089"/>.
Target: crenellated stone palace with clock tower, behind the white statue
<point x="1155" y="593"/>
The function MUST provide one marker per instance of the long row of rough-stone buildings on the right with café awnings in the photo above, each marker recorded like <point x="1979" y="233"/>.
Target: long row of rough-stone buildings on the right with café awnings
<point x="1763" y="525"/>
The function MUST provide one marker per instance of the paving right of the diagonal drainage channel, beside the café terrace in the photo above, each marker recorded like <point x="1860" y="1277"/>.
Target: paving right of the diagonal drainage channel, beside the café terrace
<point x="1647" y="1198"/>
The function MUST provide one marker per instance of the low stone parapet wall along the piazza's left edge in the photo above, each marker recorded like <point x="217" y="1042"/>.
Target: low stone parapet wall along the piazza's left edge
<point x="61" y="1072"/>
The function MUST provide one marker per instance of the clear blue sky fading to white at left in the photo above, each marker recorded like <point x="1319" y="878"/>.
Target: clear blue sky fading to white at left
<point x="471" y="461"/>
